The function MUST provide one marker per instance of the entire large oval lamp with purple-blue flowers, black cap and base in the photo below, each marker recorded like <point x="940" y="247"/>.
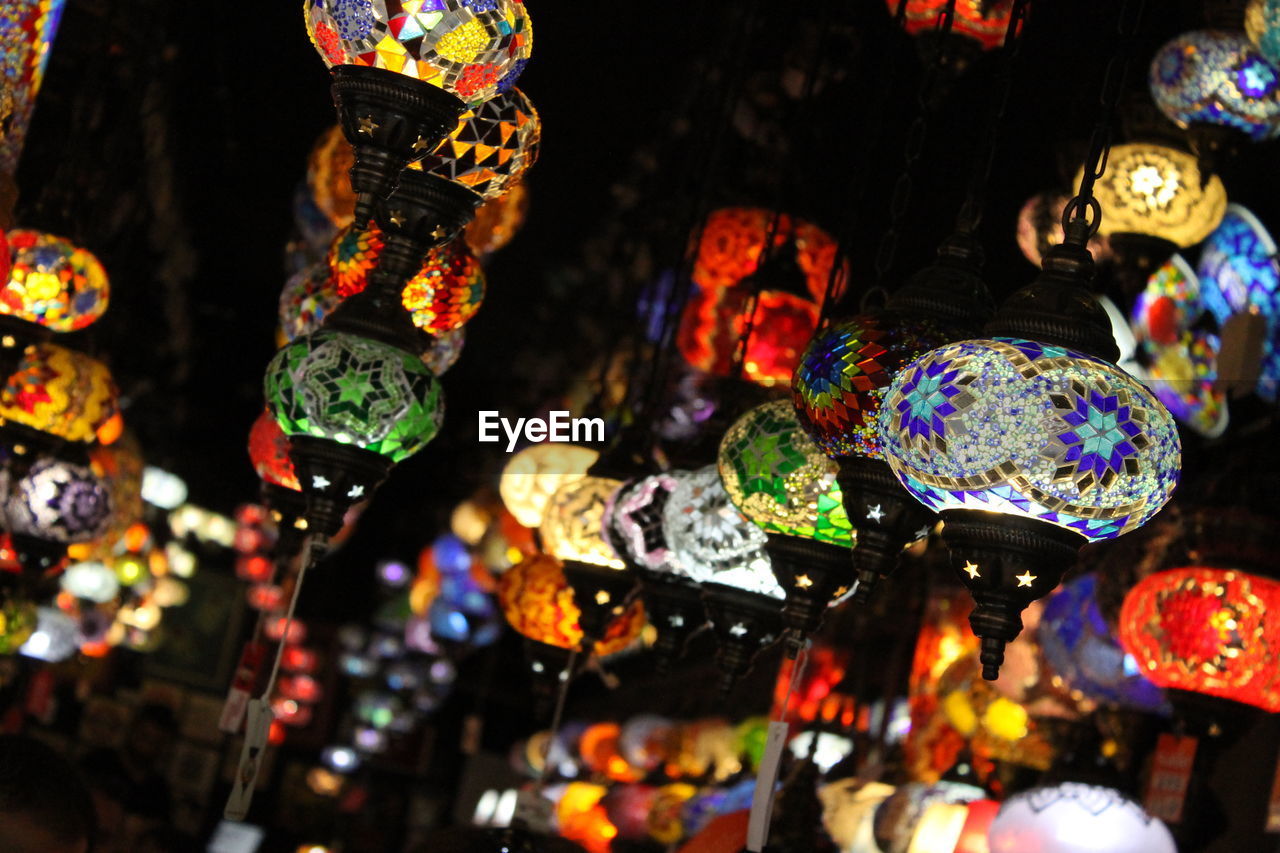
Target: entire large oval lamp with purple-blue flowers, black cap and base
<point x="1030" y="443"/>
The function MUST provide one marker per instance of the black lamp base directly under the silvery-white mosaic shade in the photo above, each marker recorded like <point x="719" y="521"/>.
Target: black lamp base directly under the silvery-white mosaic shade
<point x="744" y="624"/>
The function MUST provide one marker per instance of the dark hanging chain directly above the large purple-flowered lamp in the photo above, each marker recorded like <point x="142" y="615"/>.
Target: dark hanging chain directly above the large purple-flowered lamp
<point x="1084" y="215"/>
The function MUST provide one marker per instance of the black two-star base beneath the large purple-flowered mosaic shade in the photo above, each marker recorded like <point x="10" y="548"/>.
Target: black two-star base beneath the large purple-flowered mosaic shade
<point x="1007" y="563"/>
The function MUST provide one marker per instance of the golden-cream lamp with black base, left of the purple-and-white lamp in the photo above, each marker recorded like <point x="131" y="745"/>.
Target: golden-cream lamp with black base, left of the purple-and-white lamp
<point x="574" y="532"/>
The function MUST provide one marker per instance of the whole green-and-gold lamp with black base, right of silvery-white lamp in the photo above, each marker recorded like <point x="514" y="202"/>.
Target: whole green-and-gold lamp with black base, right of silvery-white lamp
<point x="783" y="482"/>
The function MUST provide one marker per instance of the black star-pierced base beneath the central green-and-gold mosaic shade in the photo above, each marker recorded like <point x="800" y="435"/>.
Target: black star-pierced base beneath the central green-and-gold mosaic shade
<point x="815" y="576"/>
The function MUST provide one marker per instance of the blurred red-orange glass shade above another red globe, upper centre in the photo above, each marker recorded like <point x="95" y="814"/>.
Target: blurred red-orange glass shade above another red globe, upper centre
<point x="734" y="240"/>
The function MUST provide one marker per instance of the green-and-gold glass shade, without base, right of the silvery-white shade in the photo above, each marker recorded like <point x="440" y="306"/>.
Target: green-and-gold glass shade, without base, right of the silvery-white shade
<point x="781" y="480"/>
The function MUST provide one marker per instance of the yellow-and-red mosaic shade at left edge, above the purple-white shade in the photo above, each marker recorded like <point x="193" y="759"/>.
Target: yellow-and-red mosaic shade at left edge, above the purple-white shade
<point x="61" y="393"/>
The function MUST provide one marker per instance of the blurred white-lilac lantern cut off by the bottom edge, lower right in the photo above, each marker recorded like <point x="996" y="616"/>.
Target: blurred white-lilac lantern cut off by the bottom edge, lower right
<point x="1073" y="818"/>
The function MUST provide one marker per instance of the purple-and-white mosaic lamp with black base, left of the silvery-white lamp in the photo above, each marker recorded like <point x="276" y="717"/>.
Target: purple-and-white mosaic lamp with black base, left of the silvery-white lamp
<point x="637" y="530"/>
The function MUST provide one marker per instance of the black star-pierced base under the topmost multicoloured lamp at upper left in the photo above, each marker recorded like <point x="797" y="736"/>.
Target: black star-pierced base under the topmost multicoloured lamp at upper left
<point x="391" y="120"/>
